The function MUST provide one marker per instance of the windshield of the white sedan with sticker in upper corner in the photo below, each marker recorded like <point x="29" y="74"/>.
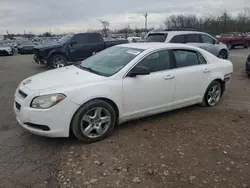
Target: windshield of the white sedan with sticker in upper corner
<point x="110" y="61"/>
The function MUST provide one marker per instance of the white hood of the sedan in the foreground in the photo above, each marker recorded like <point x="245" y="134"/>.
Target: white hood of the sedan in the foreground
<point x="62" y="77"/>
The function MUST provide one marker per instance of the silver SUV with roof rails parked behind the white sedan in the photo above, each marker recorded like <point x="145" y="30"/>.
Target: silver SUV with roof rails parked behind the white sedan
<point x="192" y="37"/>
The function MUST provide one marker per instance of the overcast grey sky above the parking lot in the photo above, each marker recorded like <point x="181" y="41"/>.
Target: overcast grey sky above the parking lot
<point x="79" y="15"/>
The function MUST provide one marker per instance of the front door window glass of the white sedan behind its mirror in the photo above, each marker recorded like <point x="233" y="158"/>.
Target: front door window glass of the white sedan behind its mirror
<point x="157" y="61"/>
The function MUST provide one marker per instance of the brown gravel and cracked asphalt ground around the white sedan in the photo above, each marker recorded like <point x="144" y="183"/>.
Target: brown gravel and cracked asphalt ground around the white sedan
<point x="191" y="147"/>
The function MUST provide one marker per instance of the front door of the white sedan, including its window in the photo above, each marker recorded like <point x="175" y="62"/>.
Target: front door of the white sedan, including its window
<point x="153" y="93"/>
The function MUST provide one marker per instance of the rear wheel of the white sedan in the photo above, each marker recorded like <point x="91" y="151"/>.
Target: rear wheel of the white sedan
<point x="213" y="94"/>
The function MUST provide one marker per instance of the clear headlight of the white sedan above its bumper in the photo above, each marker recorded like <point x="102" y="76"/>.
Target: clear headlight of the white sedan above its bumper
<point x="46" y="101"/>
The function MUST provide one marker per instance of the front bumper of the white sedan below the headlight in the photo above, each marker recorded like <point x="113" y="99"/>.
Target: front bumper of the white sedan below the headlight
<point x="56" y="119"/>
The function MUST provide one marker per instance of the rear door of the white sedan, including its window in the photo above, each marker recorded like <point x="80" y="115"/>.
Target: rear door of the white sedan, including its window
<point x="191" y="77"/>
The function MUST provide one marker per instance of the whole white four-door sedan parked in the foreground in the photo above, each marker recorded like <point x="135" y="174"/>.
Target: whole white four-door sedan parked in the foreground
<point x="118" y="84"/>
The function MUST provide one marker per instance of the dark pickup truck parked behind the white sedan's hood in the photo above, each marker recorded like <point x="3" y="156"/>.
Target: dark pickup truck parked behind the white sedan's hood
<point x="72" y="48"/>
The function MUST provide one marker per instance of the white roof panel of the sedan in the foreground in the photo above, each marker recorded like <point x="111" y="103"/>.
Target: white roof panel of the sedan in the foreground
<point x="156" y="45"/>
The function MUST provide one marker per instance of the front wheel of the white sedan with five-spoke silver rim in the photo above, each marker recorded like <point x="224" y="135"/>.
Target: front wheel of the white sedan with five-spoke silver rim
<point x="94" y="121"/>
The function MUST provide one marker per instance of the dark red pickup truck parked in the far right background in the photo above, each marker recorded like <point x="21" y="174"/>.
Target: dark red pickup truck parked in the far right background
<point x="233" y="40"/>
